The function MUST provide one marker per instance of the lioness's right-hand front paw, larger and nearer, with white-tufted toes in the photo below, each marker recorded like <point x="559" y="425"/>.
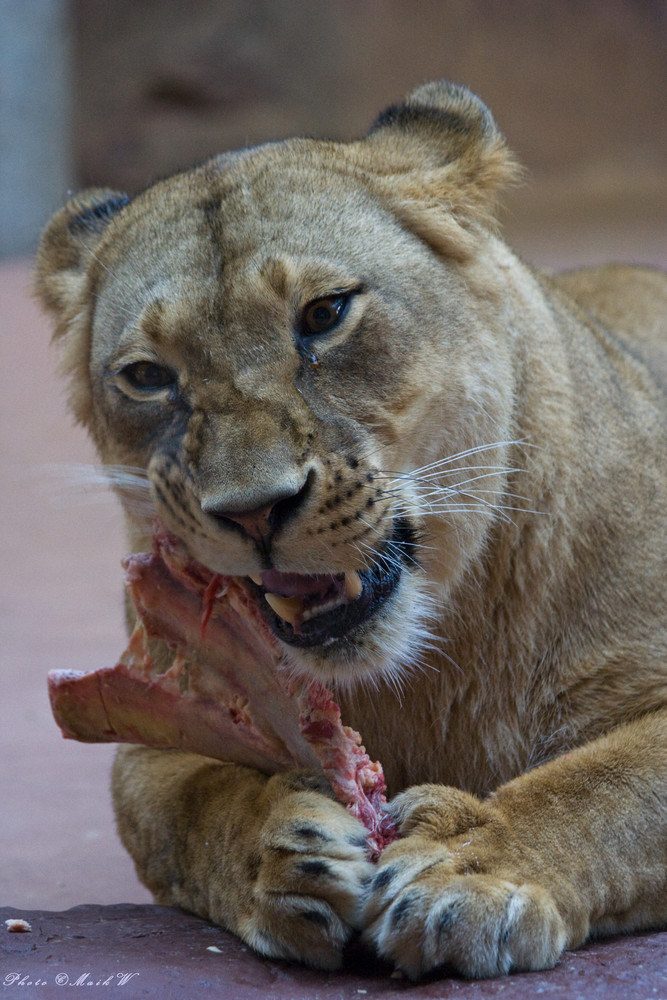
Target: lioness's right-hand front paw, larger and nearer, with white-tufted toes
<point x="455" y="901"/>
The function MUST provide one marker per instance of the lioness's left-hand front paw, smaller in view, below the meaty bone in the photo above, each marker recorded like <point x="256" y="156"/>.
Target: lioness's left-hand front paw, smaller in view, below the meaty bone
<point x="309" y="878"/>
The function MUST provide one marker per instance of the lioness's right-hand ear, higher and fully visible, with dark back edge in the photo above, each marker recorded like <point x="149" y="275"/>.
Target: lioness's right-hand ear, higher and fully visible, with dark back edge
<point x="441" y="149"/>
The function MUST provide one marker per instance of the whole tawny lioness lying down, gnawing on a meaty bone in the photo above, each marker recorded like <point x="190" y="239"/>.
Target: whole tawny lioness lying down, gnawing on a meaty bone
<point x="327" y="362"/>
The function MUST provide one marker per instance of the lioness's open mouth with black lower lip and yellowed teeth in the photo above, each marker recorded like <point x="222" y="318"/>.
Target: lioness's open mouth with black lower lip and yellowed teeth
<point x="316" y="610"/>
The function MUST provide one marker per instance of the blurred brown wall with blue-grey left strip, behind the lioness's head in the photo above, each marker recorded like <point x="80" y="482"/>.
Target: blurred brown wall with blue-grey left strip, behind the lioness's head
<point x="117" y="92"/>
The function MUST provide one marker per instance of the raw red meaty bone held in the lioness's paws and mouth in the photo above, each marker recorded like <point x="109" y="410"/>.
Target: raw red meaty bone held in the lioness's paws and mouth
<point x="227" y="694"/>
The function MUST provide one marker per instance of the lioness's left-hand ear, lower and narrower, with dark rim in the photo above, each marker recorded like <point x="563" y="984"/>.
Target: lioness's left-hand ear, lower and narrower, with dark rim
<point x="68" y="244"/>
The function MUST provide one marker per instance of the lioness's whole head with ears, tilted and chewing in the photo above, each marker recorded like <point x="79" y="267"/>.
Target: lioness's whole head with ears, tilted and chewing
<point x="303" y="347"/>
